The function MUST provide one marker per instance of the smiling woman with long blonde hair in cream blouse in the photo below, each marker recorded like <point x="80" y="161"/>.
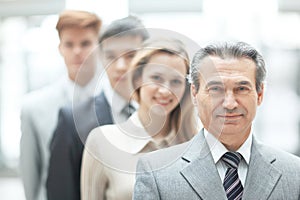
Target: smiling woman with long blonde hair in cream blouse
<point x="165" y="117"/>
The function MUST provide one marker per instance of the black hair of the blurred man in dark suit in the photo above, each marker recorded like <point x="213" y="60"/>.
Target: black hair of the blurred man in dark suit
<point x="128" y="26"/>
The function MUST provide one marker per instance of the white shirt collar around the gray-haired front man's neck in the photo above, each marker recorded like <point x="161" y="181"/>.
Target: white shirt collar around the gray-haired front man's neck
<point x="217" y="149"/>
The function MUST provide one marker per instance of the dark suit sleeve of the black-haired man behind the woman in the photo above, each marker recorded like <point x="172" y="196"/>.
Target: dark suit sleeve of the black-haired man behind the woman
<point x="63" y="181"/>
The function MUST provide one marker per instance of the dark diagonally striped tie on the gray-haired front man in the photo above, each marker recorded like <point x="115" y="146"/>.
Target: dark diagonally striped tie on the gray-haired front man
<point x="232" y="184"/>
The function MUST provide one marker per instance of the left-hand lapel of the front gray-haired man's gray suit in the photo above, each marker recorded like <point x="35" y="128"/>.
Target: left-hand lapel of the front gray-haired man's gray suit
<point x="201" y="173"/>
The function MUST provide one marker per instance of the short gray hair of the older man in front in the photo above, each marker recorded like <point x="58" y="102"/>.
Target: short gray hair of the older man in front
<point x="229" y="50"/>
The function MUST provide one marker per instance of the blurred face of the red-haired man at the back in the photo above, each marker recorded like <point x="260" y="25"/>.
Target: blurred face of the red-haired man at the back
<point x="76" y="46"/>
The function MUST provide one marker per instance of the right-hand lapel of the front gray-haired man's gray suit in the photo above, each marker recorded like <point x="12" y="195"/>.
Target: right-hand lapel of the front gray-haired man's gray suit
<point x="262" y="177"/>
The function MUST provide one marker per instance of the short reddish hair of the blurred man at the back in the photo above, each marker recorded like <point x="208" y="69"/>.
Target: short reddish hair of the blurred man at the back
<point x="78" y="19"/>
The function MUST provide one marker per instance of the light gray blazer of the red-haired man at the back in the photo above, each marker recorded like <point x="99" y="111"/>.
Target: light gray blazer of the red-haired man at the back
<point x="38" y="119"/>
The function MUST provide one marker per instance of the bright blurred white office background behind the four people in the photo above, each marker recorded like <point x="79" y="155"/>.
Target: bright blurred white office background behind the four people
<point x="29" y="57"/>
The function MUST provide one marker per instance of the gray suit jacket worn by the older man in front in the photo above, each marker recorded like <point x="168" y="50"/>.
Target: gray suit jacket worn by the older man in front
<point x="187" y="171"/>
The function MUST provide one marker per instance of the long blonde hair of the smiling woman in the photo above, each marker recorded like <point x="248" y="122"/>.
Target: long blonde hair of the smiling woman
<point x="182" y="118"/>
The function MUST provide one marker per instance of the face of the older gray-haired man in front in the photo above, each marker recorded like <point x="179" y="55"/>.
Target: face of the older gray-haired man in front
<point x="227" y="98"/>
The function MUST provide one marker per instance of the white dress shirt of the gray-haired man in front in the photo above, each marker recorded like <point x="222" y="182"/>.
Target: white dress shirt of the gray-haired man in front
<point x="217" y="150"/>
